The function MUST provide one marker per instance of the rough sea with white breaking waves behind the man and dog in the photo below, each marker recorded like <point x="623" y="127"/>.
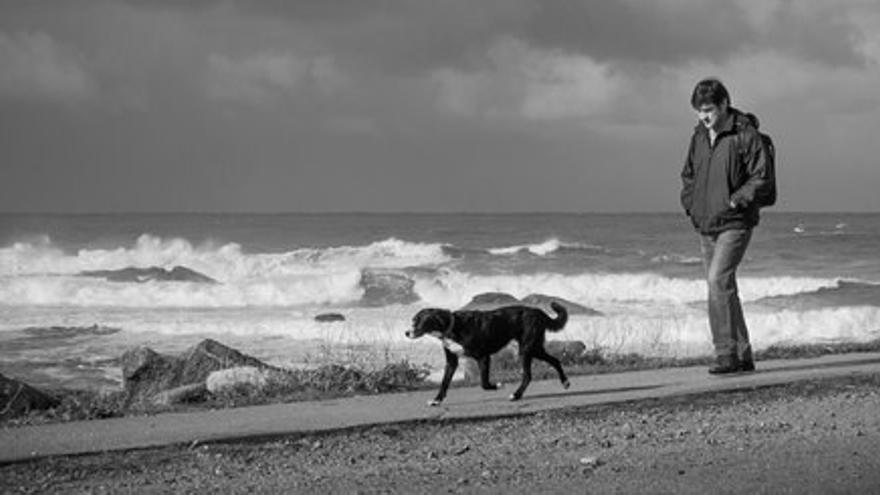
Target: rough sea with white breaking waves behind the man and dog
<point x="262" y="279"/>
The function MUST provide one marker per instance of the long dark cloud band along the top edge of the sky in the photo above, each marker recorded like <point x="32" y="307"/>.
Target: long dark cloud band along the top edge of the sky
<point x="406" y="35"/>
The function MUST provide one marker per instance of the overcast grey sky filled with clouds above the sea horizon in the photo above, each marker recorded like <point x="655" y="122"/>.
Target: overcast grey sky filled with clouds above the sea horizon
<point x="423" y="105"/>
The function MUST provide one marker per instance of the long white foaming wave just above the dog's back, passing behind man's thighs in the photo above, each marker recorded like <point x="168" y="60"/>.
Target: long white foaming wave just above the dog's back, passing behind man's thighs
<point x="371" y="286"/>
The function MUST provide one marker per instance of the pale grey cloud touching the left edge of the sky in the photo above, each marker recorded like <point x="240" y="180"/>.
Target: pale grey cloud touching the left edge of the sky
<point x="34" y="65"/>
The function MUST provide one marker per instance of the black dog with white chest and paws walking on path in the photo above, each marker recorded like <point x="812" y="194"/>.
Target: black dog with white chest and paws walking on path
<point x="479" y="334"/>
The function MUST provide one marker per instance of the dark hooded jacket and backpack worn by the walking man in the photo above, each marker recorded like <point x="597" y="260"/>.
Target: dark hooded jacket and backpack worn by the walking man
<point x="733" y="171"/>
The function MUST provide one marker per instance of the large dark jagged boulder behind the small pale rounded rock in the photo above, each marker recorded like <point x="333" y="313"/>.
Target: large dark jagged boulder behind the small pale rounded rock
<point x="146" y="373"/>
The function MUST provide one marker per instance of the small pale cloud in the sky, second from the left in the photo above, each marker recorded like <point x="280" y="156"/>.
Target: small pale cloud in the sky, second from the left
<point x="266" y="77"/>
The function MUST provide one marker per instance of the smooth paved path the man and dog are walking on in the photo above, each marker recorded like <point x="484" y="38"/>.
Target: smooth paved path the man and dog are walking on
<point x="29" y="442"/>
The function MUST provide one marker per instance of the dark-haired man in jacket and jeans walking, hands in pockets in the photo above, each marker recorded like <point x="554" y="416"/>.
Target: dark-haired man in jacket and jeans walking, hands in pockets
<point x="725" y="170"/>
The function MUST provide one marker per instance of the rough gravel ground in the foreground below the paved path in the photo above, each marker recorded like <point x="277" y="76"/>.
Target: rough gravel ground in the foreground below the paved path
<point x="820" y="436"/>
